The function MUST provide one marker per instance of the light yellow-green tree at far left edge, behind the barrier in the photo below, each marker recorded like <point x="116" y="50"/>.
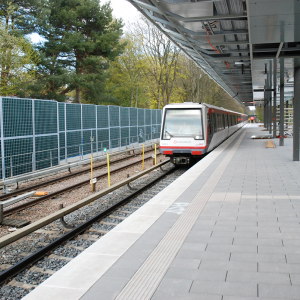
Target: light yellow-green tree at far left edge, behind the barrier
<point x="17" y="57"/>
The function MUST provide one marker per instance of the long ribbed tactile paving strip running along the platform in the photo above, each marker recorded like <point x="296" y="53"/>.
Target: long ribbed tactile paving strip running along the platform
<point x="146" y="280"/>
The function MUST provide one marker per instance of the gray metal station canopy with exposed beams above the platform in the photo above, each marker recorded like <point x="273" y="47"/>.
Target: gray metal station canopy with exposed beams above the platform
<point x="232" y="41"/>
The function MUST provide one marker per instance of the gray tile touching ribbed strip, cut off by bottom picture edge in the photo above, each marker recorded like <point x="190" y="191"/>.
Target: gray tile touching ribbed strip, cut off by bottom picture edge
<point x="159" y="295"/>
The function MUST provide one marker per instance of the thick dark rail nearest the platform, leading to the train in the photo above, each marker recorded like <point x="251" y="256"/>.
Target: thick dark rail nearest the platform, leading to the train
<point x="20" y="266"/>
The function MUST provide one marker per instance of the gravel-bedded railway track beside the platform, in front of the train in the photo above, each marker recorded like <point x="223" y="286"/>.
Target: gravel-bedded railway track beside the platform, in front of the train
<point x="57" y="247"/>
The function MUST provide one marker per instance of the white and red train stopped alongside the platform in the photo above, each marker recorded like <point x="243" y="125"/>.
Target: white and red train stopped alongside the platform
<point x="191" y="130"/>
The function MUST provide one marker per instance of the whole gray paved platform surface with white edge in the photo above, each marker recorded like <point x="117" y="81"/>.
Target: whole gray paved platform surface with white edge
<point x="228" y="229"/>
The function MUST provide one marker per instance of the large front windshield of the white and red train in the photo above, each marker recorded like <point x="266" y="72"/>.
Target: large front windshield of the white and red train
<point x="183" y="123"/>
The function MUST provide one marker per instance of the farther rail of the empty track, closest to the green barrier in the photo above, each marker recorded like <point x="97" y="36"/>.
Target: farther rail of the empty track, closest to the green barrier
<point x="38" y="185"/>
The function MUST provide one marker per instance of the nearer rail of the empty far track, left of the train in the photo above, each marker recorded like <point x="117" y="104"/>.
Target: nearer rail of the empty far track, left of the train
<point x="56" y="193"/>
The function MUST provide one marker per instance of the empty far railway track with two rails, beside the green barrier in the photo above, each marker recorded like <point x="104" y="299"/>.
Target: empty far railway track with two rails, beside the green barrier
<point x="35" y="201"/>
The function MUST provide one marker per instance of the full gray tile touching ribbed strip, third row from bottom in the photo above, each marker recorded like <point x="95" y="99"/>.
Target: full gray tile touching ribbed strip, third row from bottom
<point x="199" y="274"/>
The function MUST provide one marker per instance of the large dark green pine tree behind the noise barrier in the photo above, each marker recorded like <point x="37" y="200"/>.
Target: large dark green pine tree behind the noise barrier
<point x="81" y="38"/>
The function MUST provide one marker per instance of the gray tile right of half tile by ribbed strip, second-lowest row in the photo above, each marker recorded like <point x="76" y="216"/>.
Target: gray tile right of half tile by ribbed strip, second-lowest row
<point x="224" y="288"/>
